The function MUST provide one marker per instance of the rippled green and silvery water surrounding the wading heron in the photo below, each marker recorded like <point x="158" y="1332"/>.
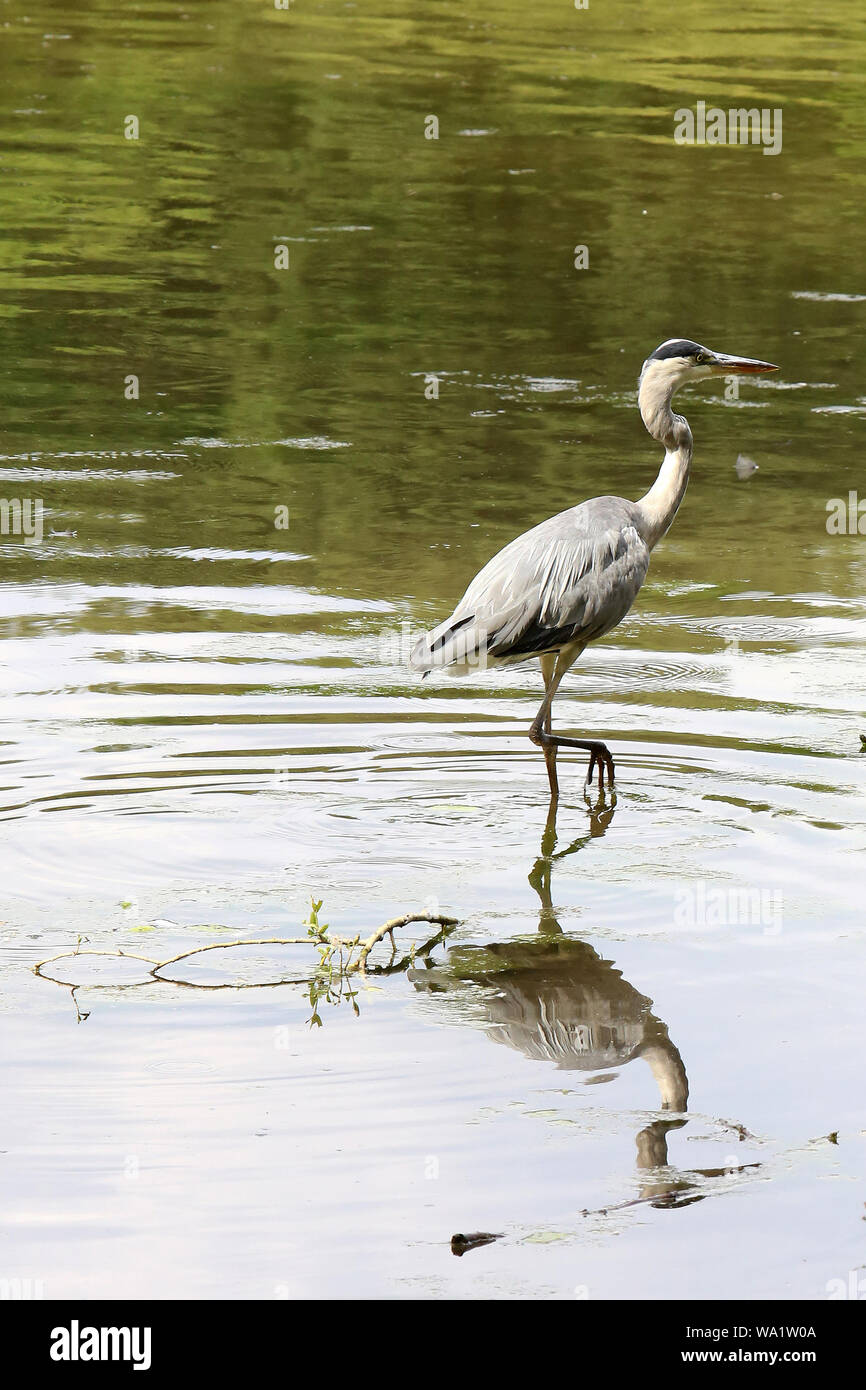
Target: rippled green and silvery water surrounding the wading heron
<point x="208" y="718"/>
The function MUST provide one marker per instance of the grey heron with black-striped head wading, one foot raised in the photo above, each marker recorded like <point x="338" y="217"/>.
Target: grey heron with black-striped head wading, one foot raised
<point x="572" y="579"/>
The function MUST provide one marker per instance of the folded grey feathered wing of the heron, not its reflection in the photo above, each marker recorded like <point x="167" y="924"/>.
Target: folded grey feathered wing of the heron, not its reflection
<point x="569" y="580"/>
